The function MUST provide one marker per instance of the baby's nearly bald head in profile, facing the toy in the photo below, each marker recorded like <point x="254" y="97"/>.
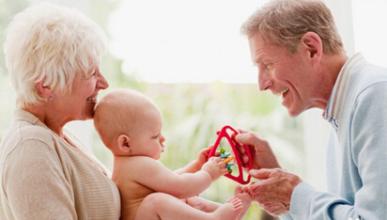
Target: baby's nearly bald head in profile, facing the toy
<point x="129" y="124"/>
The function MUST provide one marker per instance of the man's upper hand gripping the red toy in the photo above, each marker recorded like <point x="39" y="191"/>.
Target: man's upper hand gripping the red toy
<point x="260" y="150"/>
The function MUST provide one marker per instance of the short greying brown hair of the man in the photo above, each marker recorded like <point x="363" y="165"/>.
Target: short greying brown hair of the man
<point x="284" y="22"/>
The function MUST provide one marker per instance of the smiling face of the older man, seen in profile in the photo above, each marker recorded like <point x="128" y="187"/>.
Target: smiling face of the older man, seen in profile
<point x="289" y="75"/>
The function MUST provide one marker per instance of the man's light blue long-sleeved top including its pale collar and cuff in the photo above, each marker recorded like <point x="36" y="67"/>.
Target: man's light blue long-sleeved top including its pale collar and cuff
<point x="356" y="152"/>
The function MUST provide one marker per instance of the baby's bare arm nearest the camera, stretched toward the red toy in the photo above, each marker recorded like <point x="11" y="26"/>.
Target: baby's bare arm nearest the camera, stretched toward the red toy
<point x="156" y="176"/>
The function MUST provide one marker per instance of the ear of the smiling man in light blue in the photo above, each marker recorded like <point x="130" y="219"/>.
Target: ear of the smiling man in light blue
<point x="313" y="45"/>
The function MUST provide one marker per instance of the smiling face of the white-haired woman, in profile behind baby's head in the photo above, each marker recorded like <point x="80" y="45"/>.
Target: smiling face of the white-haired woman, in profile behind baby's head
<point x="79" y="103"/>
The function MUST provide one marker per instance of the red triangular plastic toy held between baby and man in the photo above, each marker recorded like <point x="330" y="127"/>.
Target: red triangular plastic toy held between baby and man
<point x="229" y="133"/>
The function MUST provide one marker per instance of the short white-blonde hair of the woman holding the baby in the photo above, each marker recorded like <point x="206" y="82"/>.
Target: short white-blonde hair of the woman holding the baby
<point x="51" y="44"/>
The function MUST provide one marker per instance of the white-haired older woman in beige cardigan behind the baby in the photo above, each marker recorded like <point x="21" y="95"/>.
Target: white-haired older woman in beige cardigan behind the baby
<point x="52" y="55"/>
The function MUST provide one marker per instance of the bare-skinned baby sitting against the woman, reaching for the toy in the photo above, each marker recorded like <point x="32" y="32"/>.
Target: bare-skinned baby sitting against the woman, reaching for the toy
<point x="130" y="124"/>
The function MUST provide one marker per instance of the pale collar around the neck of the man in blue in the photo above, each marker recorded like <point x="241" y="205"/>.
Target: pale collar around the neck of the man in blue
<point x="333" y="109"/>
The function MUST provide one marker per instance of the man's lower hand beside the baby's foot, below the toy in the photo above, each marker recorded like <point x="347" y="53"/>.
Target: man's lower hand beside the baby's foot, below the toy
<point x="274" y="190"/>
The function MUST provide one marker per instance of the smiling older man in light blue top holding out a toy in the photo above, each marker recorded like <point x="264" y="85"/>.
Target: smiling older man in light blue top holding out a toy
<point x="300" y="57"/>
